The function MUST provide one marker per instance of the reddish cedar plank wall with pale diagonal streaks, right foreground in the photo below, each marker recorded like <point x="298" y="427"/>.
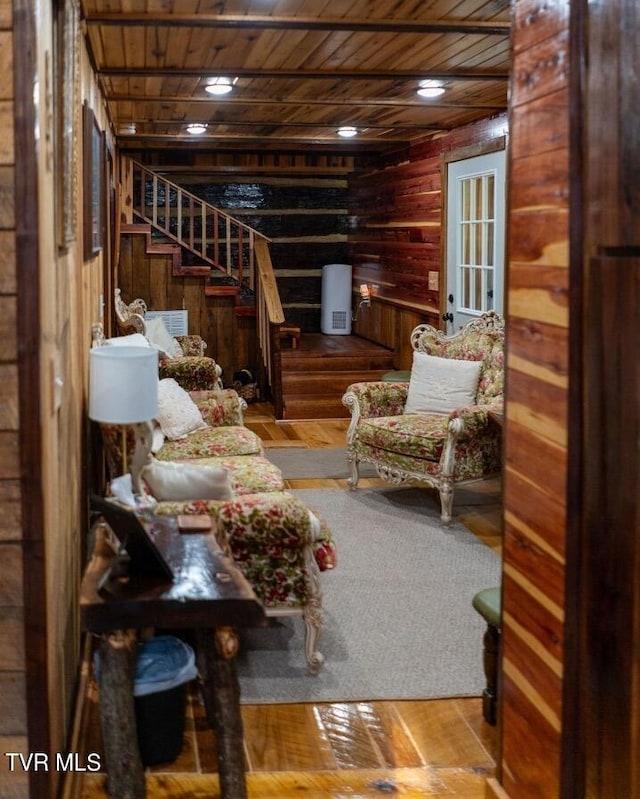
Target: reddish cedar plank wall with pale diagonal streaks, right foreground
<point x="537" y="390"/>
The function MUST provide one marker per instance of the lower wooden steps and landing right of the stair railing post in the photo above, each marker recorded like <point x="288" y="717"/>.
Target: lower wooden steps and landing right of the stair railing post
<point x="316" y="374"/>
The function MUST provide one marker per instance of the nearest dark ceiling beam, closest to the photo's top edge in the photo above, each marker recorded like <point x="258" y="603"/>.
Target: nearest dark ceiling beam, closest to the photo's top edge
<point x="481" y="27"/>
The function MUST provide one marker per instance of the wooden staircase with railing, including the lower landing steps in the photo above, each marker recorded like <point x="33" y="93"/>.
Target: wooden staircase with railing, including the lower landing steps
<point x="306" y="381"/>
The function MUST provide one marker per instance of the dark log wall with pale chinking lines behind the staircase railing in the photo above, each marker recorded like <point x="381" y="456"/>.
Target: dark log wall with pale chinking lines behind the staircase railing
<point x="297" y="201"/>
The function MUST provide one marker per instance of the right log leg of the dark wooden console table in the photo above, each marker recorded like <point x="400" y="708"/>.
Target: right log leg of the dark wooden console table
<point x="216" y="651"/>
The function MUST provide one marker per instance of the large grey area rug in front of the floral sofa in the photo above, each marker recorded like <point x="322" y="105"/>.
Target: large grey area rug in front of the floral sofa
<point x="398" y="617"/>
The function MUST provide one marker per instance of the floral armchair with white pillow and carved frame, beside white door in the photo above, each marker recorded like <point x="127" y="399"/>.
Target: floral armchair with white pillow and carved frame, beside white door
<point x="435" y="429"/>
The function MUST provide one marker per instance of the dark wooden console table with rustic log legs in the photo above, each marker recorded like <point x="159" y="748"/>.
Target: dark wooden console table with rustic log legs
<point x="208" y="595"/>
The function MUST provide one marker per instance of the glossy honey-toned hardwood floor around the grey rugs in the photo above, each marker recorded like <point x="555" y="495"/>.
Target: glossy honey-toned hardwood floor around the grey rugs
<point x="437" y="748"/>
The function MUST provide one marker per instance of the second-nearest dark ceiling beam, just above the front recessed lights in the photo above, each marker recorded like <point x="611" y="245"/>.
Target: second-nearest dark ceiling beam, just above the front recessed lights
<point x="302" y="74"/>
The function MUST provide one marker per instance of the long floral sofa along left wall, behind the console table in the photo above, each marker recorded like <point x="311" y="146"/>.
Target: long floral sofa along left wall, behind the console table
<point x="280" y="546"/>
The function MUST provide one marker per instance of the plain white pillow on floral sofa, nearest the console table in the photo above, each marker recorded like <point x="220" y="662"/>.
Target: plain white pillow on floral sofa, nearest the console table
<point x="168" y="480"/>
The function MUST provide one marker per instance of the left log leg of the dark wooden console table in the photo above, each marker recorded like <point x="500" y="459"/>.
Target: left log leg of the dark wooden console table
<point x="125" y="774"/>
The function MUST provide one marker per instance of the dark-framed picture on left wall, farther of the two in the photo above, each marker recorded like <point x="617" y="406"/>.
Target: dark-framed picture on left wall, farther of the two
<point x="93" y="195"/>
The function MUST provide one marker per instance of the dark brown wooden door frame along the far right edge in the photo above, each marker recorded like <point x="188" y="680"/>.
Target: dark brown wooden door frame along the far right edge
<point x="600" y="727"/>
